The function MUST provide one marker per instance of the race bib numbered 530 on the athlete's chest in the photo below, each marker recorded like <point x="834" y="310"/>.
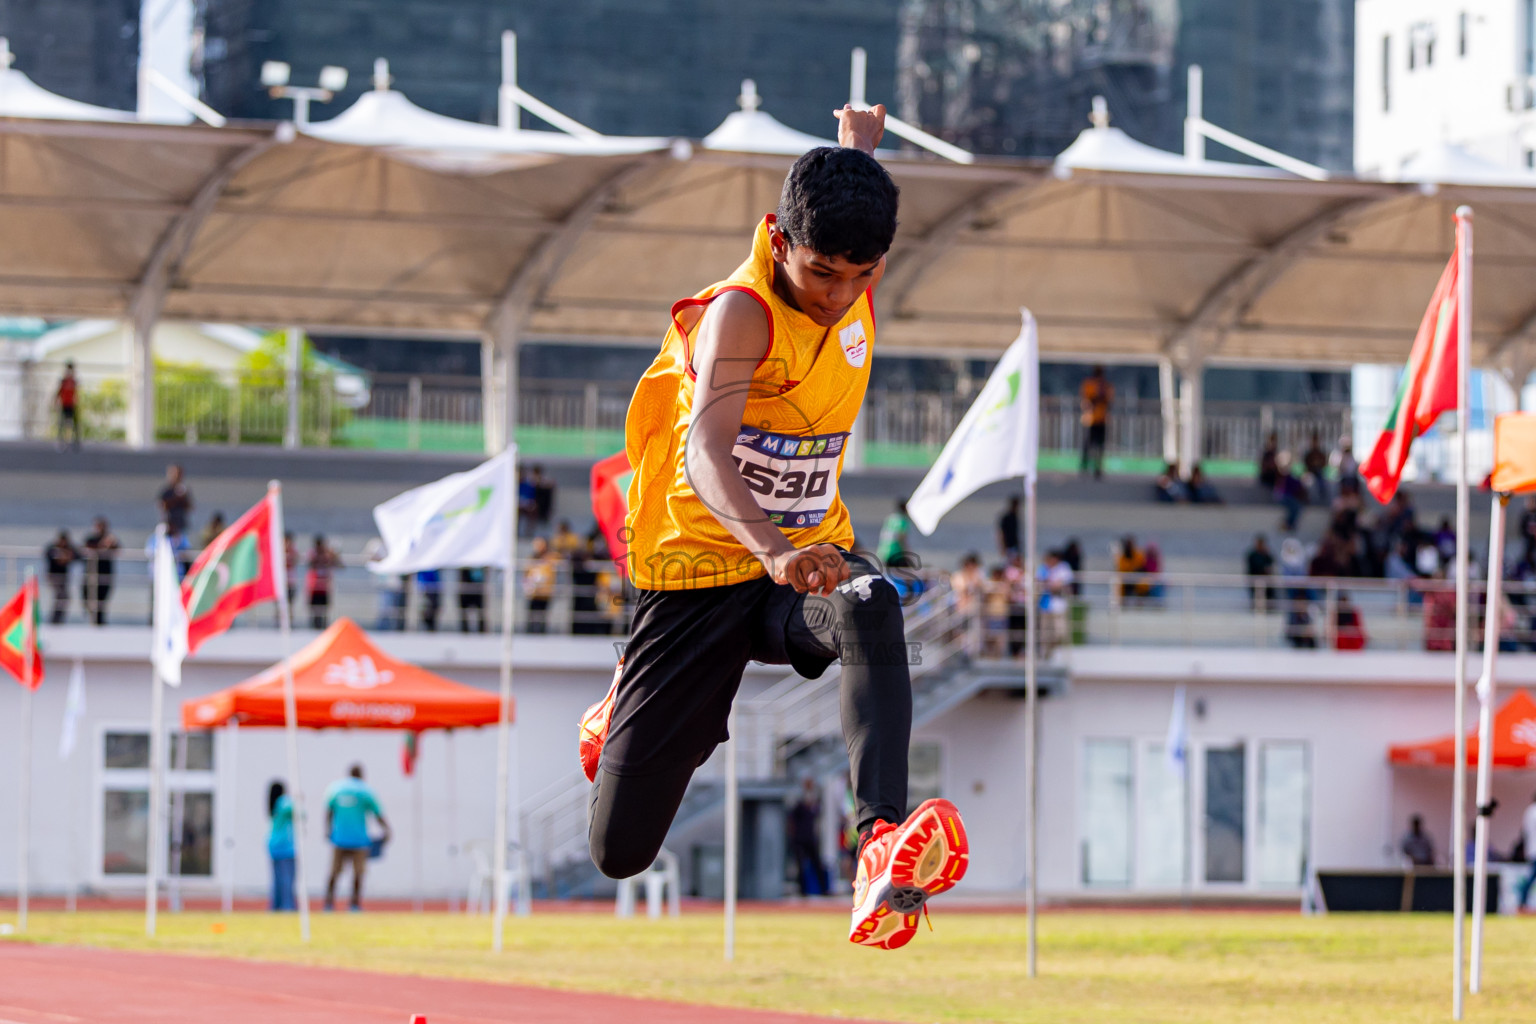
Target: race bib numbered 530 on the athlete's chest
<point x="793" y="478"/>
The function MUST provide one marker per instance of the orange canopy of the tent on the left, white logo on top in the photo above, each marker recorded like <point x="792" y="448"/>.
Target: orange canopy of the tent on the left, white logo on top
<point x="342" y="681"/>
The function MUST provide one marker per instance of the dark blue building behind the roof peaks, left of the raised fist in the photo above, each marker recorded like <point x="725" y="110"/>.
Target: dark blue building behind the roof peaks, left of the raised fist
<point x="621" y="67"/>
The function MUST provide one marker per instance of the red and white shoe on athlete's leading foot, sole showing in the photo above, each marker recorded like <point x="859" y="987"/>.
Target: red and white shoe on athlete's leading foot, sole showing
<point x="901" y="868"/>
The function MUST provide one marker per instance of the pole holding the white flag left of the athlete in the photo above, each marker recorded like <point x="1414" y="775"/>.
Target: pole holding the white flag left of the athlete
<point x="506" y="339"/>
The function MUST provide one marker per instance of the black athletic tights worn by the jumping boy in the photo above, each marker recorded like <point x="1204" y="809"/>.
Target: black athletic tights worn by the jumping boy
<point x="634" y="807"/>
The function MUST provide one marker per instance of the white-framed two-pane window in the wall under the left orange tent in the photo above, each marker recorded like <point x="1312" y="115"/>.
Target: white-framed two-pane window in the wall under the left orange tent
<point x="125" y="804"/>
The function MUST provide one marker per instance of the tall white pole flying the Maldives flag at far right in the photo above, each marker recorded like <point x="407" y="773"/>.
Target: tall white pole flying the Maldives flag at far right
<point x="1463" y="517"/>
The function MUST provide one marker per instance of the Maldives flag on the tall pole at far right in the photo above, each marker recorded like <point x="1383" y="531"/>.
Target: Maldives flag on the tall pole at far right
<point x="1428" y="389"/>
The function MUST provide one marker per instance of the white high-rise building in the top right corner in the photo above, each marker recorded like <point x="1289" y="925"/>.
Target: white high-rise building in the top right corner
<point x="1431" y="74"/>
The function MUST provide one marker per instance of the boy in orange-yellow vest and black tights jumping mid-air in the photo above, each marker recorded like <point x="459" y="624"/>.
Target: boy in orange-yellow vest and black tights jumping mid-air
<point x="741" y="546"/>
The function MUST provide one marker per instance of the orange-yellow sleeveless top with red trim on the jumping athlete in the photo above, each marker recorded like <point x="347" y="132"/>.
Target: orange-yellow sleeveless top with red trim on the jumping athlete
<point x="801" y="409"/>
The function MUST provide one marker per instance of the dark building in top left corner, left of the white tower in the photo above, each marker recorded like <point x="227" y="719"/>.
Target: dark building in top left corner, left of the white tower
<point x="84" y="50"/>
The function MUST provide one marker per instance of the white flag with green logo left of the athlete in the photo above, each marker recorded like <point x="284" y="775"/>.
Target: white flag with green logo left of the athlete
<point x="460" y="521"/>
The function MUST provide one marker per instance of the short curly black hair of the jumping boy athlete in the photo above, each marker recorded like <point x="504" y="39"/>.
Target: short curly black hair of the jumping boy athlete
<point x="839" y="203"/>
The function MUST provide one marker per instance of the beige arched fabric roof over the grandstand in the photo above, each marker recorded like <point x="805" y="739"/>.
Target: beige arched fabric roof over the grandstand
<point x="1121" y="254"/>
